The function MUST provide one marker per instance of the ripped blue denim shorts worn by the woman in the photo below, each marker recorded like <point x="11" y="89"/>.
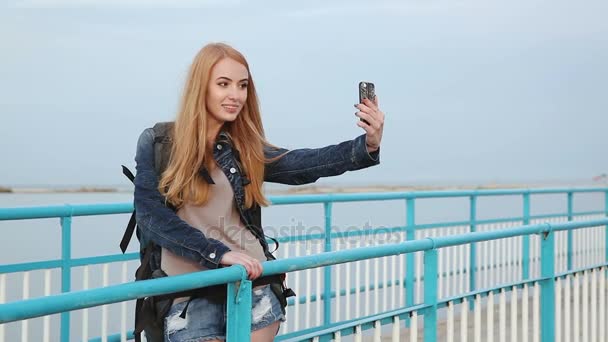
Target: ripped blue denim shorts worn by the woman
<point x="206" y="320"/>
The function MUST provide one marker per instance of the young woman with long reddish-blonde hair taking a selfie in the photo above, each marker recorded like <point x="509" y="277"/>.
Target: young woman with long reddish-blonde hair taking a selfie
<point x="201" y="209"/>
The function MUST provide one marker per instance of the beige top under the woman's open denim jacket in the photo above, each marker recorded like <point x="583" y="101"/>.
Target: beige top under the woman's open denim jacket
<point x="218" y="219"/>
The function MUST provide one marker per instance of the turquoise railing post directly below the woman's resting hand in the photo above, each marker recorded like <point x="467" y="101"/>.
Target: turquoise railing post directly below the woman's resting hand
<point x="238" y="325"/>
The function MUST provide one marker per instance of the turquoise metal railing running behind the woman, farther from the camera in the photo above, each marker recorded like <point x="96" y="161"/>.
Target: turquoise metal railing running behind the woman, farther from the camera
<point x="65" y="213"/>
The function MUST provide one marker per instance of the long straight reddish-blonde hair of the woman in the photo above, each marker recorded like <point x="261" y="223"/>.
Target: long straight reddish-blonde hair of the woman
<point x="180" y="182"/>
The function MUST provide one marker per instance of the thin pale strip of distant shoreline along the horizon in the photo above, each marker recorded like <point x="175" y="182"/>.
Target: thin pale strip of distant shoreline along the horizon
<point x="317" y="189"/>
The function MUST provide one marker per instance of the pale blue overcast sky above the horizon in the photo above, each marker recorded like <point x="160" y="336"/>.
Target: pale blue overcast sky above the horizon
<point x="473" y="91"/>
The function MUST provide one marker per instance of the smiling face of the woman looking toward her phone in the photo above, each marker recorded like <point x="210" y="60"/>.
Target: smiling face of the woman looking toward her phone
<point x="227" y="90"/>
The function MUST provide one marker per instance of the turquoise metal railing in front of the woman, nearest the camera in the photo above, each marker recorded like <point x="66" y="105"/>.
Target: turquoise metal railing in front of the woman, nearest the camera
<point x="239" y="303"/>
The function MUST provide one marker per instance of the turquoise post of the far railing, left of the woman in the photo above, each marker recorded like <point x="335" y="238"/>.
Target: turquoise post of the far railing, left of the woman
<point x="66" y="272"/>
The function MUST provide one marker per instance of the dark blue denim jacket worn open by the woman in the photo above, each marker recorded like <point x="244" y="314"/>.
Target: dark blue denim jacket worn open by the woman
<point x="160" y="224"/>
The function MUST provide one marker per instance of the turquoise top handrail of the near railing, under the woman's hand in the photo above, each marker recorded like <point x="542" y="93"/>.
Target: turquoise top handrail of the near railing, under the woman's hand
<point x="82" y="299"/>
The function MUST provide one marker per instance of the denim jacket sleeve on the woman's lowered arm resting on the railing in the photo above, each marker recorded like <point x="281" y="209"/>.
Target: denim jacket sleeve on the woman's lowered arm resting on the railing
<point x="160" y="224"/>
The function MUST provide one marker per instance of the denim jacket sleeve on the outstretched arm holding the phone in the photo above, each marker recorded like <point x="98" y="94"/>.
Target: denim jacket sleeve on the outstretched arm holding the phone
<point x="302" y="166"/>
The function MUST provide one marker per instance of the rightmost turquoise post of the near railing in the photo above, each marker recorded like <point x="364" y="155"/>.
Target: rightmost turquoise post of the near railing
<point x="547" y="286"/>
